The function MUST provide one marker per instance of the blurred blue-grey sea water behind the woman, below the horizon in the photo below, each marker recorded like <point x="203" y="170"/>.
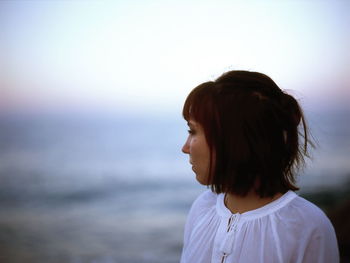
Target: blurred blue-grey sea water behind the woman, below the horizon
<point x="116" y="189"/>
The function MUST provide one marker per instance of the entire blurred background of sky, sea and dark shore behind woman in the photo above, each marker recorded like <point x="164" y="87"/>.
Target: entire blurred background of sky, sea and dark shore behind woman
<point x="91" y="93"/>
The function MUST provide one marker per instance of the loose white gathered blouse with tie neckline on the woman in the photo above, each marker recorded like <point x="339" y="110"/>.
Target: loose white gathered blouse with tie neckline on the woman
<point x="287" y="230"/>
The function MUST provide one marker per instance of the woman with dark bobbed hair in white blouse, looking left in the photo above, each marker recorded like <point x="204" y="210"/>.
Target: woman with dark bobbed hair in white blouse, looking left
<point x="244" y="143"/>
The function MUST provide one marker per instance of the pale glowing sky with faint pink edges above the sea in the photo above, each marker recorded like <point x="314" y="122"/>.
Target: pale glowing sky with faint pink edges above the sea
<point x="146" y="56"/>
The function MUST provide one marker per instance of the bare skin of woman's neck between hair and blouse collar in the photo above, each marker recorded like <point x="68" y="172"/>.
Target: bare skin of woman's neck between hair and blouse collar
<point x="252" y="201"/>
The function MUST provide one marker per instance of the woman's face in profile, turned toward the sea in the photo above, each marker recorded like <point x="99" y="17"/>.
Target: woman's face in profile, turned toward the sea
<point x="196" y="146"/>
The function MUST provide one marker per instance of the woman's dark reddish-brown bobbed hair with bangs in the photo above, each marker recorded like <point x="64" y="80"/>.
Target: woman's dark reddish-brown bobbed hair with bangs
<point x="251" y="127"/>
